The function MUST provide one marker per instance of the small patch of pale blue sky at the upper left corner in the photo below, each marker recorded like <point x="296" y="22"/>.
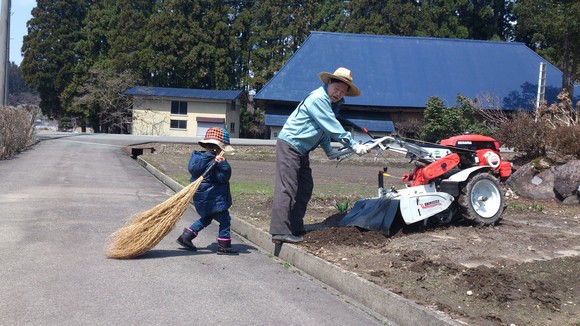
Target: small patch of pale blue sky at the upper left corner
<point x="21" y="13"/>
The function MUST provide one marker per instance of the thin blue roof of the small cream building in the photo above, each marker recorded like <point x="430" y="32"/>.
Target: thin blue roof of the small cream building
<point x="184" y="93"/>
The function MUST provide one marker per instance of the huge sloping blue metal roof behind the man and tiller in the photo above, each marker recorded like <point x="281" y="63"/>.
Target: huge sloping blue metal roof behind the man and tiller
<point x="394" y="71"/>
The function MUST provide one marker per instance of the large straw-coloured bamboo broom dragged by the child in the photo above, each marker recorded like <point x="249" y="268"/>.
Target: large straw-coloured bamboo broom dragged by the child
<point x="145" y="230"/>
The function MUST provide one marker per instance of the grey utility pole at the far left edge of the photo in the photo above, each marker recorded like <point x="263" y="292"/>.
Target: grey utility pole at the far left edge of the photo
<point x="4" y="51"/>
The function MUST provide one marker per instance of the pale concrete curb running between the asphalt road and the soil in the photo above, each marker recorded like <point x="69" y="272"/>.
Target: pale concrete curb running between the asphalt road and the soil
<point x="370" y="295"/>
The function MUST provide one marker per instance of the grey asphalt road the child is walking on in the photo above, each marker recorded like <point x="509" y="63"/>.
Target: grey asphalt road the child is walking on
<point x="59" y="202"/>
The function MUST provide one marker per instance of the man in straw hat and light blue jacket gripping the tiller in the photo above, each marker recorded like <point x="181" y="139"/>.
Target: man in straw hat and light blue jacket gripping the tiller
<point x="313" y="123"/>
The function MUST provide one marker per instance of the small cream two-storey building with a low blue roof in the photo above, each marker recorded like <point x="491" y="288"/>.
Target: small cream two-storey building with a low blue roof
<point x="185" y="112"/>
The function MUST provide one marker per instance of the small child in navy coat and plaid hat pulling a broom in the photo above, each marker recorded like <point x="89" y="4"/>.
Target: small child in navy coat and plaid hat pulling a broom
<point x="213" y="198"/>
